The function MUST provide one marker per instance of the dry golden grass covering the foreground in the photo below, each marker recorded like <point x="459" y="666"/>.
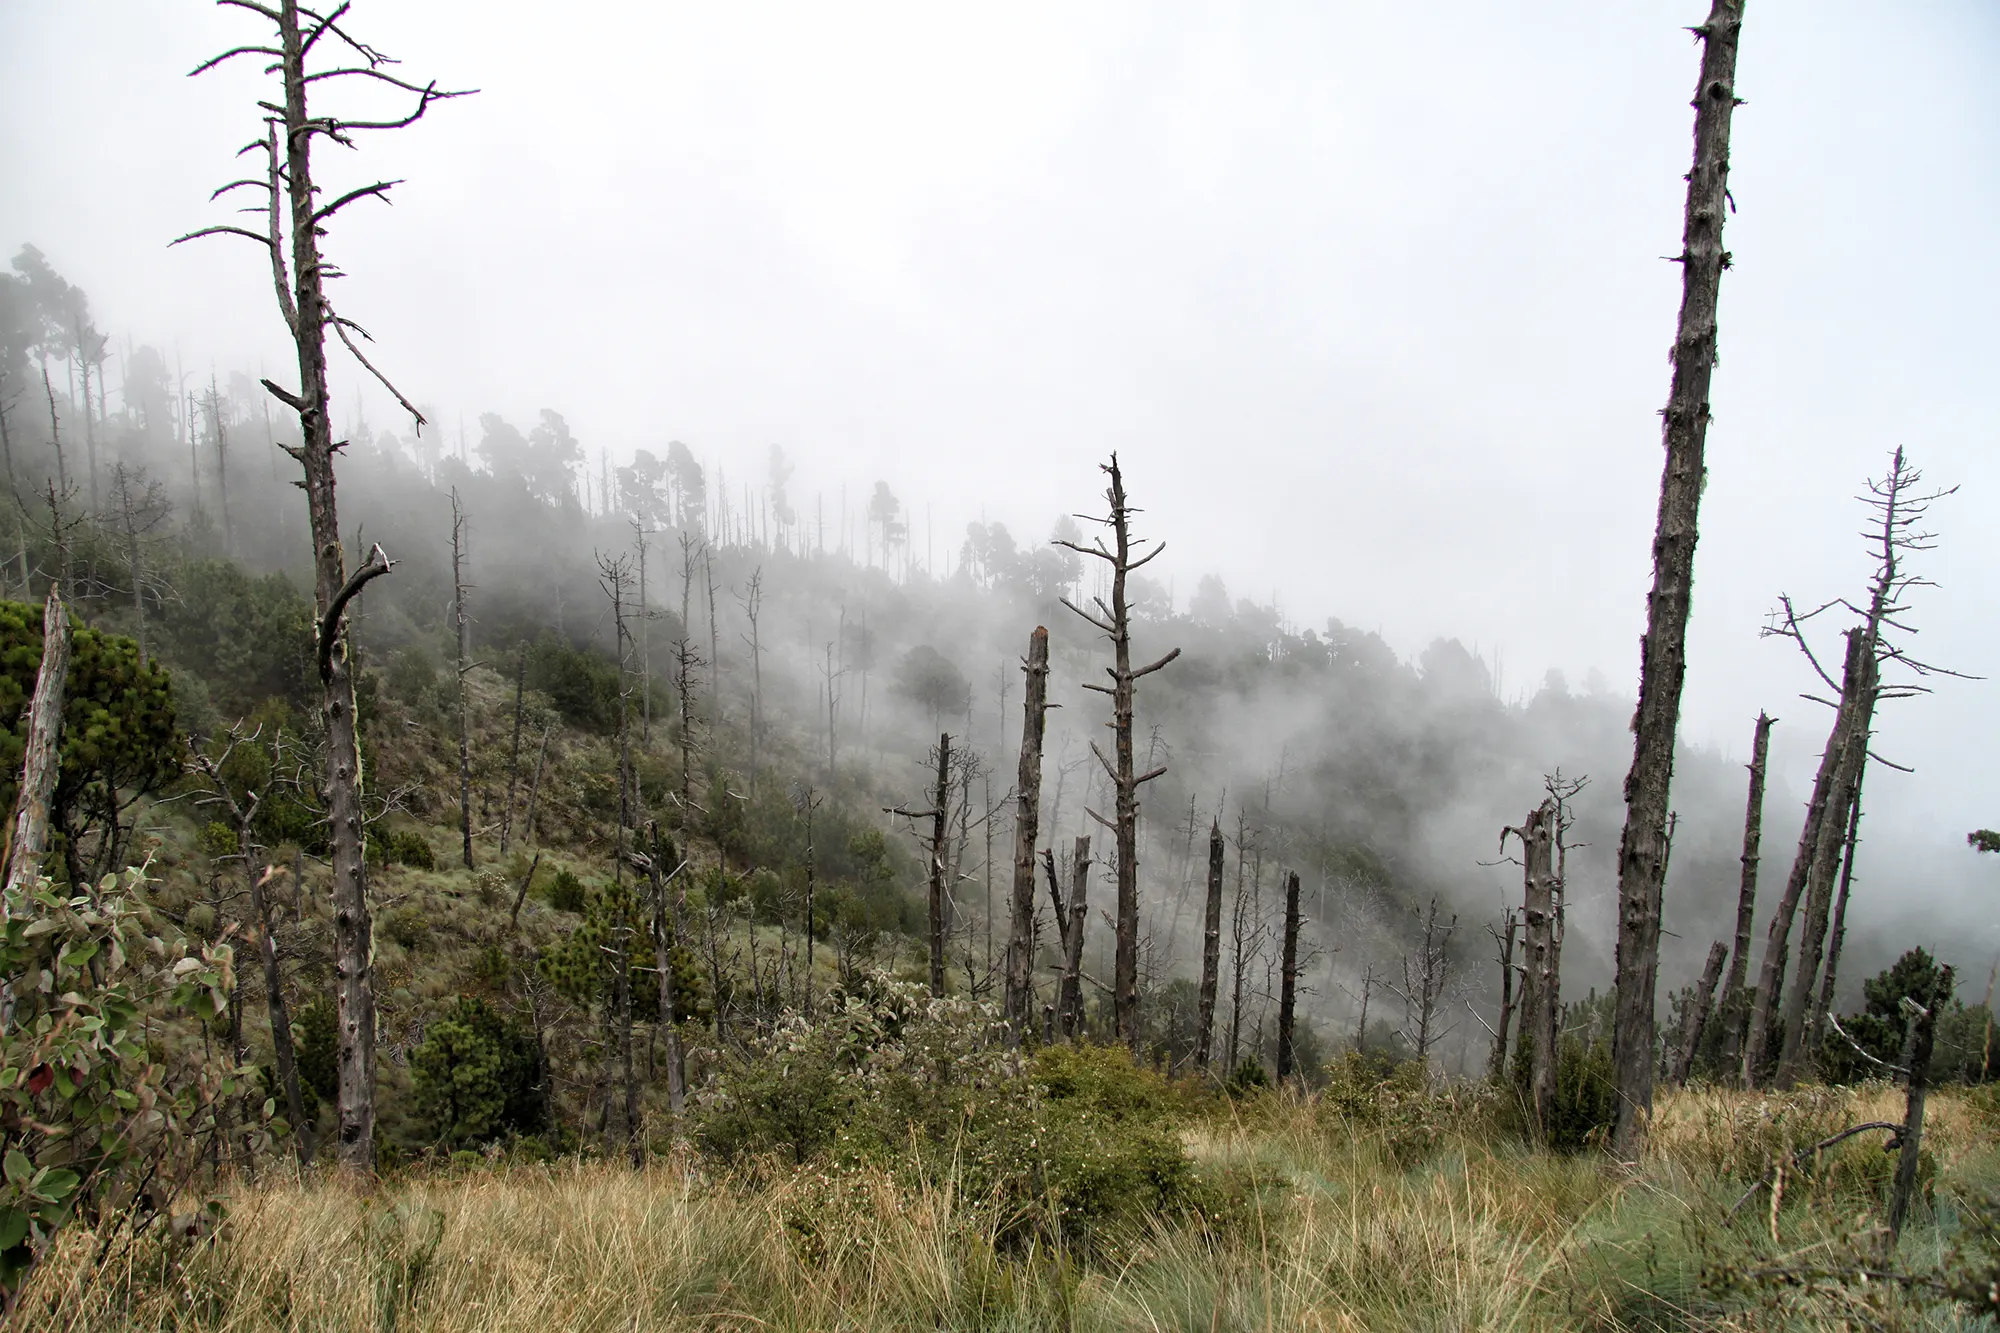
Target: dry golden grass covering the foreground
<point x="1327" y="1234"/>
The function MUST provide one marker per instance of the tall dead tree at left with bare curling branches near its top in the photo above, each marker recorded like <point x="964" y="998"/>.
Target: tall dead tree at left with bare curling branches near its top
<point x="297" y="211"/>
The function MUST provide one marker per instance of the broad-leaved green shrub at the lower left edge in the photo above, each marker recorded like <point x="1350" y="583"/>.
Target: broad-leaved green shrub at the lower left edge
<point x="85" y="1112"/>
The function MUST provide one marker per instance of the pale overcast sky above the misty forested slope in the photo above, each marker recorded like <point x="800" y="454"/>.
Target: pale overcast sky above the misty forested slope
<point x="1369" y="297"/>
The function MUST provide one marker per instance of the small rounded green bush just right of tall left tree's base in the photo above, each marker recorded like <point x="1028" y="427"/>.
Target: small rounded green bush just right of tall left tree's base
<point x="477" y="1078"/>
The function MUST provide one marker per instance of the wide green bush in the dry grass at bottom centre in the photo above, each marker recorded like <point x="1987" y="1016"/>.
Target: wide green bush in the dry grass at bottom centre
<point x="1083" y="1150"/>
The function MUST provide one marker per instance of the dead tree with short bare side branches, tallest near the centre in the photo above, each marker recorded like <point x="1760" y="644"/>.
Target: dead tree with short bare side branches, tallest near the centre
<point x="1117" y="625"/>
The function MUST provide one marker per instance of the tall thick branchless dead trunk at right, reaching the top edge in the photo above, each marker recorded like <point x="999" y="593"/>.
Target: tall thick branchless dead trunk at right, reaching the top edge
<point x="1665" y="649"/>
